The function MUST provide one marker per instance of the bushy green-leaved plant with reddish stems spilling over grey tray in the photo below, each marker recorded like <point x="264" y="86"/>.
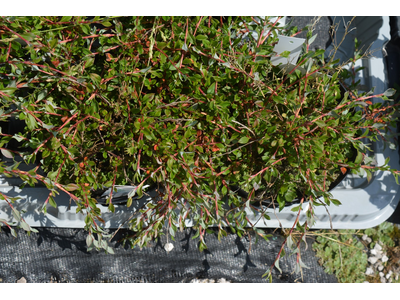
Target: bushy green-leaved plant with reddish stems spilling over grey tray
<point x="191" y="105"/>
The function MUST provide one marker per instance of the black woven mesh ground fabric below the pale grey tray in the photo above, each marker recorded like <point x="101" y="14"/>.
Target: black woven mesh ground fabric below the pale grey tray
<point x="59" y="255"/>
